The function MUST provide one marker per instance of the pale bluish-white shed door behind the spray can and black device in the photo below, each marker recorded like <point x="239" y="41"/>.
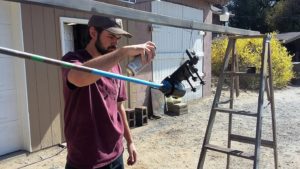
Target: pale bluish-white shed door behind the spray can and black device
<point x="172" y="42"/>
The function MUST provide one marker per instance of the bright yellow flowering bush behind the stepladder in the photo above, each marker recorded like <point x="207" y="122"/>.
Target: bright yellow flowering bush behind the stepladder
<point x="249" y="54"/>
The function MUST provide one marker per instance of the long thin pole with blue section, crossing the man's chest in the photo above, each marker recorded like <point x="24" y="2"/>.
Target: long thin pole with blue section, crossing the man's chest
<point x="68" y="65"/>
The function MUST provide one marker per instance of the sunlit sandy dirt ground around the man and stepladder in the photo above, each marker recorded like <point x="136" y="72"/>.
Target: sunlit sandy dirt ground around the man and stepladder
<point x="174" y="142"/>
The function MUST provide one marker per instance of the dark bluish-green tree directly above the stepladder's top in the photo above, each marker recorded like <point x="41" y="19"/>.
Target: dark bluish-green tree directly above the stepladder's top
<point x="250" y="14"/>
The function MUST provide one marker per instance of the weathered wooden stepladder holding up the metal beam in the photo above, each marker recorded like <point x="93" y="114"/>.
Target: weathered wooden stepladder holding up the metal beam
<point x="265" y="84"/>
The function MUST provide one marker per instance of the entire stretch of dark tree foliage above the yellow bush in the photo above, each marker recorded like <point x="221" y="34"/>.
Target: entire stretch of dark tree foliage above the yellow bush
<point x="266" y="15"/>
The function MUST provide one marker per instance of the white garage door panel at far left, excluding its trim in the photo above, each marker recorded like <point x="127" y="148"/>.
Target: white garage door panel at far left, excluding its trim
<point x="10" y="117"/>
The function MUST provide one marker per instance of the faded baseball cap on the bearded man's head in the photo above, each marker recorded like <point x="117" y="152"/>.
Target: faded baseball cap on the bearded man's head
<point x="108" y="24"/>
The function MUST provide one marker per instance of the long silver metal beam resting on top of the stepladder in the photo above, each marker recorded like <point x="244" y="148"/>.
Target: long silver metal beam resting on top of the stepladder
<point x="96" y="7"/>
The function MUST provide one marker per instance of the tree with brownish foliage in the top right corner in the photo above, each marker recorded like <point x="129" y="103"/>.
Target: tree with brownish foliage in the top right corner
<point x="284" y="16"/>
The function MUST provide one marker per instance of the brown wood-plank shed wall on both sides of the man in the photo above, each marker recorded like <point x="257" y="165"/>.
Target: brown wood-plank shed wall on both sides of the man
<point x="44" y="84"/>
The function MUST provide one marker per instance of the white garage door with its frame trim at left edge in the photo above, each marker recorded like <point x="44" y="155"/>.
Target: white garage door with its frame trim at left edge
<point x="14" y="129"/>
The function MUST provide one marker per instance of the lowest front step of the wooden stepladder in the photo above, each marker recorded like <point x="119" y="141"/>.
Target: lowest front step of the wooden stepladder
<point x="229" y="151"/>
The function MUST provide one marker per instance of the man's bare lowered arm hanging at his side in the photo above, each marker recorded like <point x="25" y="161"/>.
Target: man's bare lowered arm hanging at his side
<point x="131" y="147"/>
